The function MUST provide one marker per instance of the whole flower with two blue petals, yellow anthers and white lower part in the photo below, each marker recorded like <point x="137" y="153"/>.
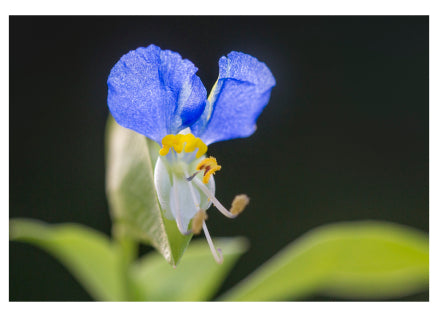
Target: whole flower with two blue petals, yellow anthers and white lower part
<point x="158" y="94"/>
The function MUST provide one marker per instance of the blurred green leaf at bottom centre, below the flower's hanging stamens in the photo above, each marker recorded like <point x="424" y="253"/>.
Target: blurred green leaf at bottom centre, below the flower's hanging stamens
<point x="196" y="278"/>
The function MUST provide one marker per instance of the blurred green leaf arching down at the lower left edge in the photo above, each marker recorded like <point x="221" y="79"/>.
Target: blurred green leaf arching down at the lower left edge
<point x="87" y="254"/>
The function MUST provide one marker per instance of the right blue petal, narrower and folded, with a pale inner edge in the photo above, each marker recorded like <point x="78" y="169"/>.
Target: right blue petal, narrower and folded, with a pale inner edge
<point x="240" y="94"/>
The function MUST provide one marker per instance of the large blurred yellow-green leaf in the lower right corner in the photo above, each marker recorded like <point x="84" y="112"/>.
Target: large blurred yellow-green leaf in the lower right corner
<point x="360" y="260"/>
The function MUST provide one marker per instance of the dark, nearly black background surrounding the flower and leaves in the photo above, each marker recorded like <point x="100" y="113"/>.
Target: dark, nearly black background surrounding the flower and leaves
<point x="344" y="137"/>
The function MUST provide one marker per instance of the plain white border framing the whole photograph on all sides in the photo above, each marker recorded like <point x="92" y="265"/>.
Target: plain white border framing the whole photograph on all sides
<point x="225" y="7"/>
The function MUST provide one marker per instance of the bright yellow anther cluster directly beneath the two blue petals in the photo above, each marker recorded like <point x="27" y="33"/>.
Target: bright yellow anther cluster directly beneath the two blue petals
<point x="188" y="142"/>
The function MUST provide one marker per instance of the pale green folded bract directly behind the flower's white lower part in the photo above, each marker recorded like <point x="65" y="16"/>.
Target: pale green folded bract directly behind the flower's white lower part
<point x="131" y="193"/>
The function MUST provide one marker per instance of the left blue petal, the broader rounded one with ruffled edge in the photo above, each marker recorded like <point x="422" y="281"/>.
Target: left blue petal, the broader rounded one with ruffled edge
<point x="155" y="92"/>
